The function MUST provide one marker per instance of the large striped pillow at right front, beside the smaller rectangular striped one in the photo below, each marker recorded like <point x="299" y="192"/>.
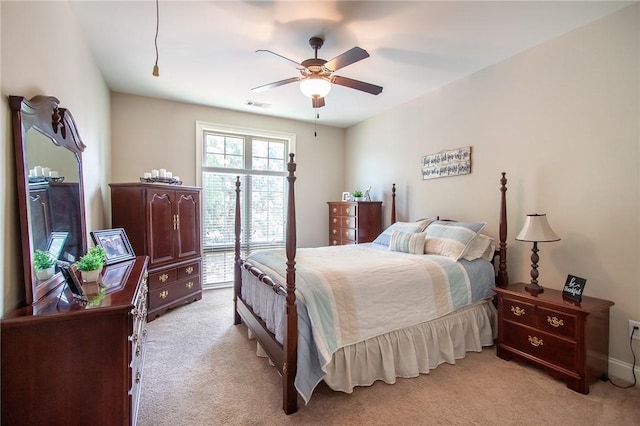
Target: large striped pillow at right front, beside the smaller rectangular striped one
<point x="451" y="238"/>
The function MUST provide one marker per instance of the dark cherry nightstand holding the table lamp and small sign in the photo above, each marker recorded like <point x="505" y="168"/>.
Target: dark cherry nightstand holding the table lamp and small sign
<point x="569" y="339"/>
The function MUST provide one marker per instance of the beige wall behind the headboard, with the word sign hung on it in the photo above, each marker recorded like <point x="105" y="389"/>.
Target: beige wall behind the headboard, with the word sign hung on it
<point x="562" y="120"/>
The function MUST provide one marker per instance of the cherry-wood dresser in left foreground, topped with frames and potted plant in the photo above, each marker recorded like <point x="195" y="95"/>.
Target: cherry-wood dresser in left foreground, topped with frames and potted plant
<point x="71" y="363"/>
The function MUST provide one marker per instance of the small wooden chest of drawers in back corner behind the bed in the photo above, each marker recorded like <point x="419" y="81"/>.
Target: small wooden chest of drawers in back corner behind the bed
<point x="353" y="222"/>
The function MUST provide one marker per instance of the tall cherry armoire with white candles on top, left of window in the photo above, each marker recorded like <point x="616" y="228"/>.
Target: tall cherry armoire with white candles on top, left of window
<point x="163" y="222"/>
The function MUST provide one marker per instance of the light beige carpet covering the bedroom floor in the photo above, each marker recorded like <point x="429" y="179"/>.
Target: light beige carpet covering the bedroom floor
<point x="200" y="369"/>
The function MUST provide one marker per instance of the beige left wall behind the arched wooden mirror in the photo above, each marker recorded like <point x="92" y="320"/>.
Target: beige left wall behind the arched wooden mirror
<point x="45" y="53"/>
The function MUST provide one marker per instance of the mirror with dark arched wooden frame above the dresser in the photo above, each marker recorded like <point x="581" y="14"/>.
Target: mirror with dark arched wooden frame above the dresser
<point x="48" y="152"/>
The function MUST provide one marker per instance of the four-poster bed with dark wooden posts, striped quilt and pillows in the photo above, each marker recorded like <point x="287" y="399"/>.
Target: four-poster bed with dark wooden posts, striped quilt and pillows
<point x="319" y="328"/>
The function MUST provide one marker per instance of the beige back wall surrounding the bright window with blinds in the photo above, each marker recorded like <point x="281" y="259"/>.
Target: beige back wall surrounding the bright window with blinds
<point x="152" y="134"/>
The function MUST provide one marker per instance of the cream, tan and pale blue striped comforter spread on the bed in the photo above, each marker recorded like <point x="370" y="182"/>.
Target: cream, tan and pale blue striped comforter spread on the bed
<point x="354" y="293"/>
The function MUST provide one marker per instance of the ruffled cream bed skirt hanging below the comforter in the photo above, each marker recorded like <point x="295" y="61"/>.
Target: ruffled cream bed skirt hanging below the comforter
<point x="404" y="353"/>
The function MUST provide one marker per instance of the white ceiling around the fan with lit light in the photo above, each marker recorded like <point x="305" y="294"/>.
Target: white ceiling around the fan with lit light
<point x="207" y="48"/>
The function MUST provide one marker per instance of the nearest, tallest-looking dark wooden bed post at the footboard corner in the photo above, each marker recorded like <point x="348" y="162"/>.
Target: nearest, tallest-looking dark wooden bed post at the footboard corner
<point x="290" y="367"/>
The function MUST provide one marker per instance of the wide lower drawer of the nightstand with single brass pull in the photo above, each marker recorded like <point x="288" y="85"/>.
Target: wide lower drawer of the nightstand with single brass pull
<point x="541" y="345"/>
